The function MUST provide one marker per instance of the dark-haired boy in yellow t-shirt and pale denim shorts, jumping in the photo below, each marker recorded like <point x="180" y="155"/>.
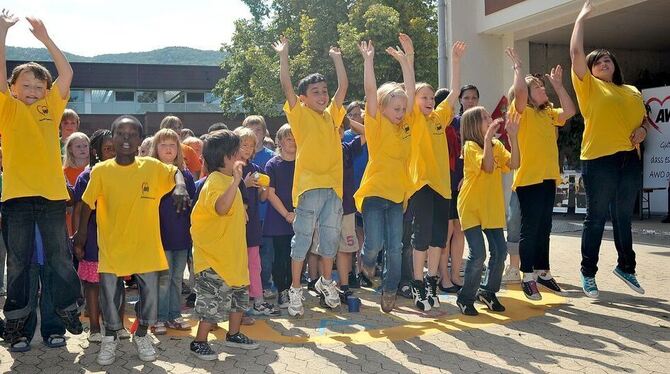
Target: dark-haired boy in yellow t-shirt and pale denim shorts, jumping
<point x="317" y="187"/>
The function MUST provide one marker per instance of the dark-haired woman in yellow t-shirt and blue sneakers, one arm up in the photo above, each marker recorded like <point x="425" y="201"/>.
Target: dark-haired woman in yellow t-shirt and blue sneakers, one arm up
<point x="614" y="126"/>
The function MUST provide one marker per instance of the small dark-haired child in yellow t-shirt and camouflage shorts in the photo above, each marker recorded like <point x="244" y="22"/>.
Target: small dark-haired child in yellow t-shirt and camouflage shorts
<point x="220" y="247"/>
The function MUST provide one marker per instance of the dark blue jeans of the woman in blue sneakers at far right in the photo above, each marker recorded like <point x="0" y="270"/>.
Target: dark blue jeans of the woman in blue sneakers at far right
<point x="612" y="184"/>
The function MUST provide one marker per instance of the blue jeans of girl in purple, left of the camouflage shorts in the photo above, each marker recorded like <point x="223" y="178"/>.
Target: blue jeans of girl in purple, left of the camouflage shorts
<point x="169" y="286"/>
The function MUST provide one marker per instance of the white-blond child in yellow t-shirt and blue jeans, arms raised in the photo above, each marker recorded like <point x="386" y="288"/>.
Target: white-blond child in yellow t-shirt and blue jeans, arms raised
<point x="385" y="183"/>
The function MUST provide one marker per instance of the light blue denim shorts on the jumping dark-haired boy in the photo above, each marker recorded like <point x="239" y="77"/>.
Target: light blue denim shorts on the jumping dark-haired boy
<point x="319" y="207"/>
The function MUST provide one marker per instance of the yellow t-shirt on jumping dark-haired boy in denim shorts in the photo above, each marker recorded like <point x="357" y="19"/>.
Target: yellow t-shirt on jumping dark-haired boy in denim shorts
<point x="318" y="161"/>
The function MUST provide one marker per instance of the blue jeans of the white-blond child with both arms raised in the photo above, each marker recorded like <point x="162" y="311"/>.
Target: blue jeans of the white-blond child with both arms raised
<point x="383" y="225"/>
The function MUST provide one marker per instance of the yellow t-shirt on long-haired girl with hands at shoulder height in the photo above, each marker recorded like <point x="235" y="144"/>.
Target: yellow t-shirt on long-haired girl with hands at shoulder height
<point x="481" y="200"/>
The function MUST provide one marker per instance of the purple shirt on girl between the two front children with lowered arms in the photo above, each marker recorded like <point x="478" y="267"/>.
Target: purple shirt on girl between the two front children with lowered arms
<point x="175" y="227"/>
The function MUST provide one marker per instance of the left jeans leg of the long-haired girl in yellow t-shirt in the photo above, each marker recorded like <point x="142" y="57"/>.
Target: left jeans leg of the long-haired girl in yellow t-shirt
<point x="473" y="267"/>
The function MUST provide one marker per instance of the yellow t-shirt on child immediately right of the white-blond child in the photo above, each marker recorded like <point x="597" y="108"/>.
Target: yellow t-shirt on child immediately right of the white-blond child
<point x="429" y="160"/>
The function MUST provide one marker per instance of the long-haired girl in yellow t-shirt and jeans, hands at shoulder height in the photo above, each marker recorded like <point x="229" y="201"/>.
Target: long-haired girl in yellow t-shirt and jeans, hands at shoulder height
<point x="481" y="205"/>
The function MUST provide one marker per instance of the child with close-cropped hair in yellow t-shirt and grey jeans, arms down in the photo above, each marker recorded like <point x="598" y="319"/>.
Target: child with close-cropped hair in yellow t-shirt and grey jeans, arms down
<point x="125" y="192"/>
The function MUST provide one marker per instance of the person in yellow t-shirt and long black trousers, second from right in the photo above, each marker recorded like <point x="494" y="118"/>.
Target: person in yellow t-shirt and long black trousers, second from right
<point x="535" y="180"/>
